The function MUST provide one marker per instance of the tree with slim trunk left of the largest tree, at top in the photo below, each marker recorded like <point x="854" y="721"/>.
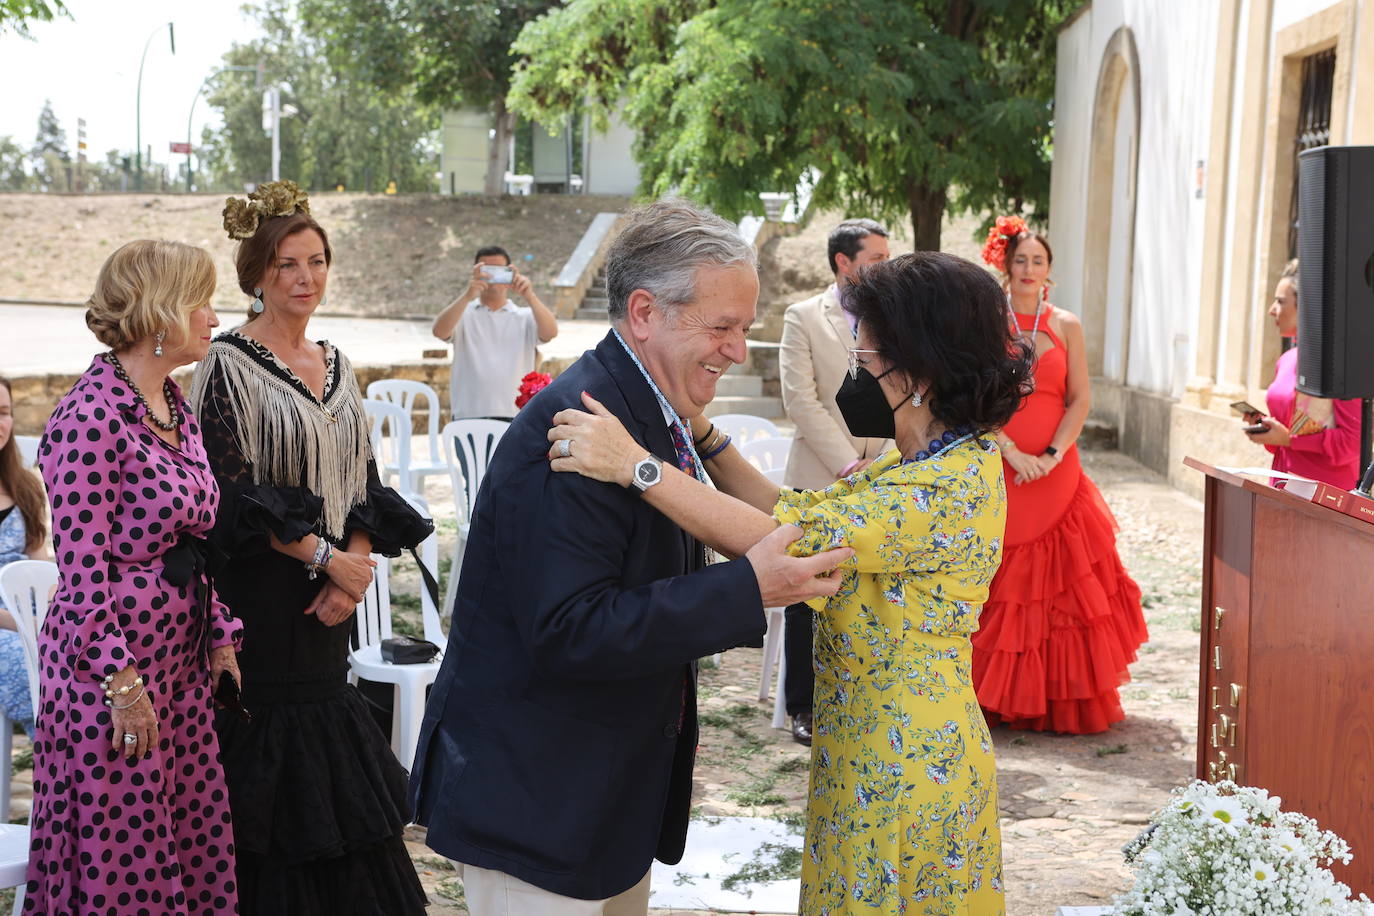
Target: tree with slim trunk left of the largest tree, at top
<point x="450" y="54"/>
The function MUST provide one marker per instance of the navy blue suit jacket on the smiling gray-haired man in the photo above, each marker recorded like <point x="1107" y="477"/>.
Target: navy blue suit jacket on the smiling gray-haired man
<point x="560" y="737"/>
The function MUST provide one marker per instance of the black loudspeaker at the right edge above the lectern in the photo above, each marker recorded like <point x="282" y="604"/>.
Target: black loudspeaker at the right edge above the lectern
<point x="1336" y="273"/>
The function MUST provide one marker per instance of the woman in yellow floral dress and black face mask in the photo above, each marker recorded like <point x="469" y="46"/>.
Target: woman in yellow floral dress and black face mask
<point x="903" y="803"/>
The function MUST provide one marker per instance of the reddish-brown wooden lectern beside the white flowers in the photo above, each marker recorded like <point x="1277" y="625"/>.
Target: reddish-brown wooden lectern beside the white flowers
<point x="1287" y="679"/>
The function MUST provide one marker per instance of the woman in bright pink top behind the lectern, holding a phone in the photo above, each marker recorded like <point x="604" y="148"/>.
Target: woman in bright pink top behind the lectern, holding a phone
<point x="1314" y="437"/>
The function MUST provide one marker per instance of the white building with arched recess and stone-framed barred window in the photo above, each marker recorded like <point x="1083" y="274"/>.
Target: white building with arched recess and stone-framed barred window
<point x="1173" y="198"/>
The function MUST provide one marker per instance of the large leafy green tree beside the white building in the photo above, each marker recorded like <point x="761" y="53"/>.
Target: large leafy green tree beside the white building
<point x="906" y="109"/>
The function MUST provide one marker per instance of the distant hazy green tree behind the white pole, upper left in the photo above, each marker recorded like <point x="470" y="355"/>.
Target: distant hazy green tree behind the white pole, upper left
<point x="343" y="133"/>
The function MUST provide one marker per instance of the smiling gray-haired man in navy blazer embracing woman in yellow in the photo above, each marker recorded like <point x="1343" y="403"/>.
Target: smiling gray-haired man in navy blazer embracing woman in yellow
<point x="557" y="753"/>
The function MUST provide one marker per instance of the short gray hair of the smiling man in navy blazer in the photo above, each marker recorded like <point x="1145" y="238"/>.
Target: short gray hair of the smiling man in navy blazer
<point x="663" y="248"/>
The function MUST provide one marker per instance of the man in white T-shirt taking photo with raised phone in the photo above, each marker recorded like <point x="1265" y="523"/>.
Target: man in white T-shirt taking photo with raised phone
<point x="494" y="340"/>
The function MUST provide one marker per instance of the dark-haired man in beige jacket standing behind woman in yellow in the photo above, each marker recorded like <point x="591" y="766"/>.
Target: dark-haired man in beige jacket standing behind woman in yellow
<point x="817" y="336"/>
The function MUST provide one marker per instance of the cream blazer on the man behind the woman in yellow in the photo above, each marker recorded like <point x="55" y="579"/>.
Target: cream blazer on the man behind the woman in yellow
<point x="814" y="359"/>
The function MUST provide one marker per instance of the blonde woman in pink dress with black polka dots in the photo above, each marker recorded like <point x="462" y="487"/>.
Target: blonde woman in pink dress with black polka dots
<point x="131" y="814"/>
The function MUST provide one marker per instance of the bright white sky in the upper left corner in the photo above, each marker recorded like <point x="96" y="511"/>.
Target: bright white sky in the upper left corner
<point x="89" y="67"/>
